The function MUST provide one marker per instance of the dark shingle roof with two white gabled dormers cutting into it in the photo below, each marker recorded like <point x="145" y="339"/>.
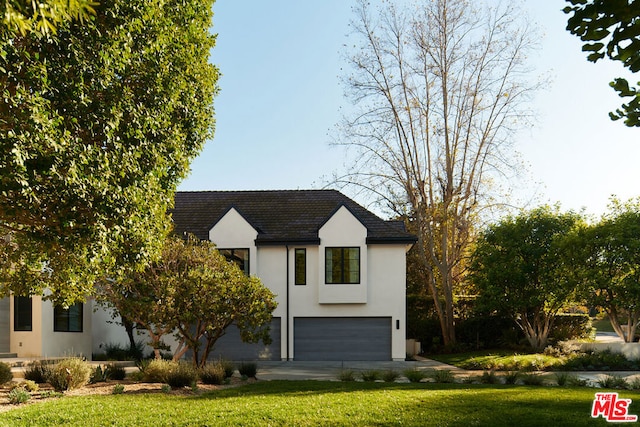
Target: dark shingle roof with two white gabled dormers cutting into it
<point x="281" y="216"/>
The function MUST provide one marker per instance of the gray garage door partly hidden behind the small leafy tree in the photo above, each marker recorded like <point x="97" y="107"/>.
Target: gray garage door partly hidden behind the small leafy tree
<point x="231" y="347"/>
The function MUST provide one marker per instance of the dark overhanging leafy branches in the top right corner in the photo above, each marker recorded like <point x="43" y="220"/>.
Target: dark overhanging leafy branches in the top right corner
<point x="611" y="28"/>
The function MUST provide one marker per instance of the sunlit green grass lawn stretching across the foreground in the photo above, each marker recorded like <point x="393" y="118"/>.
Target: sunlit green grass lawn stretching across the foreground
<point x="312" y="403"/>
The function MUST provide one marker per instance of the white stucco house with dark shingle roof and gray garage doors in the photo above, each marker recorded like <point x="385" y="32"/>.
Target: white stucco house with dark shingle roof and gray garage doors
<point x="338" y="270"/>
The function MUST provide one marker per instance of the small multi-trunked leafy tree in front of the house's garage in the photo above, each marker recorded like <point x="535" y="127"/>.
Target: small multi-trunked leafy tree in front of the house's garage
<point x="195" y="294"/>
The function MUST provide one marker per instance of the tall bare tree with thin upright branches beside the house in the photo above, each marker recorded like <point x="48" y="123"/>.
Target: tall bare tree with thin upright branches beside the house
<point x="439" y="89"/>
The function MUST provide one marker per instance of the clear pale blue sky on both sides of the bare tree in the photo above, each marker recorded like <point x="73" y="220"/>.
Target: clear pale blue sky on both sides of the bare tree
<point x="281" y="97"/>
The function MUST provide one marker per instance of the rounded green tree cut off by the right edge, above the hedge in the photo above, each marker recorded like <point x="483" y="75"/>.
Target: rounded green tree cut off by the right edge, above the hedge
<point x="611" y="266"/>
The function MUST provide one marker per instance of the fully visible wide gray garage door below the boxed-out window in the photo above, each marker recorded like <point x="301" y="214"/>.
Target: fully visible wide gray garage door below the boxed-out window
<point x="342" y="338"/>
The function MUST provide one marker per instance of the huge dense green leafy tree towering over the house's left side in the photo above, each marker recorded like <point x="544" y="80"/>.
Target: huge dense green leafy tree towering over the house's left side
<point x="98" y="125"/>
